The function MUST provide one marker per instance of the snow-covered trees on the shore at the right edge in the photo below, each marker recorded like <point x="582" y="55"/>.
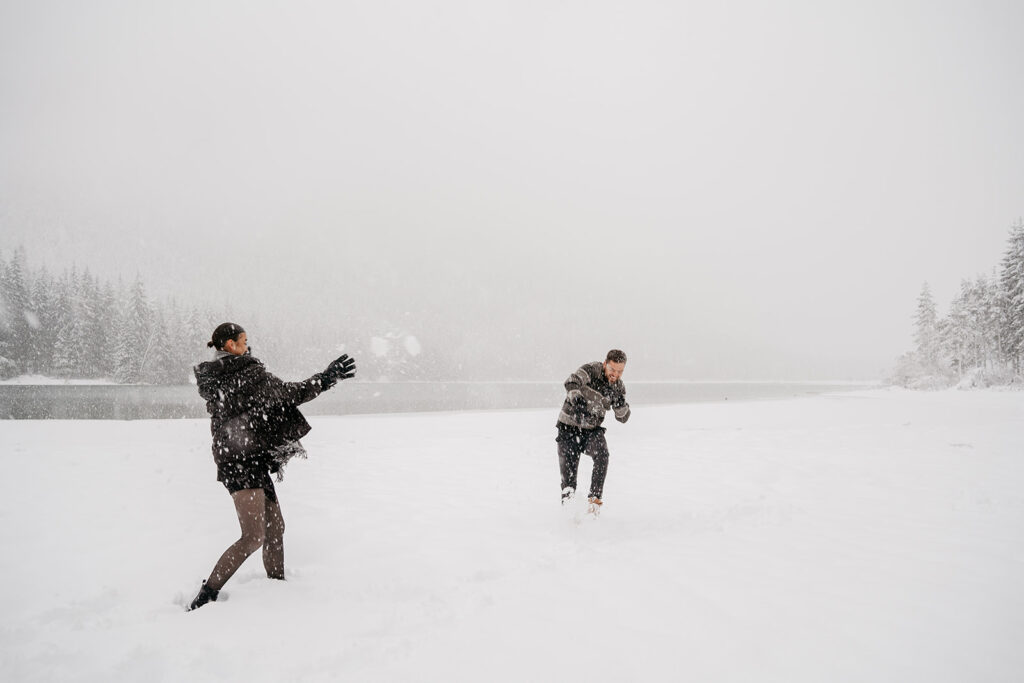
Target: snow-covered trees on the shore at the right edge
<point x="982" y="340"/>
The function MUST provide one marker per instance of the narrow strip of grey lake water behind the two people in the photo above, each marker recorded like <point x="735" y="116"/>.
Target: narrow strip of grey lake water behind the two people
<point x="146" y="403"/>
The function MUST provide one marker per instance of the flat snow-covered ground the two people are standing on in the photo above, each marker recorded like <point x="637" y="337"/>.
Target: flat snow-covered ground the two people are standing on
<point x="873" y="536"/>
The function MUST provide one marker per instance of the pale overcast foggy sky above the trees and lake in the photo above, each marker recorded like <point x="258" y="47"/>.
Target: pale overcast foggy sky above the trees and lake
<point x="733" y="191"/>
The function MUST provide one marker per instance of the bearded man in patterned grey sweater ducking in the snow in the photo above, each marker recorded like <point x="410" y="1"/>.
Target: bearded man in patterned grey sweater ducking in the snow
<point x="591" y="392"/>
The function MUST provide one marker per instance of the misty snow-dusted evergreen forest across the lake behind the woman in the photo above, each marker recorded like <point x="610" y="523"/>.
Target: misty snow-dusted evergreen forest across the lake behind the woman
<point x="78" y="326"/>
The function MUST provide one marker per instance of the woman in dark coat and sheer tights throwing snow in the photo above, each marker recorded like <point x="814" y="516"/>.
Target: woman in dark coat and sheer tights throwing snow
<point x="257" y="429"/>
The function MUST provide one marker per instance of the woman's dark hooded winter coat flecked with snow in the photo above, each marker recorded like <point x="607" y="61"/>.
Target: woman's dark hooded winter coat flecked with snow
<point x="253" y="414"/>
